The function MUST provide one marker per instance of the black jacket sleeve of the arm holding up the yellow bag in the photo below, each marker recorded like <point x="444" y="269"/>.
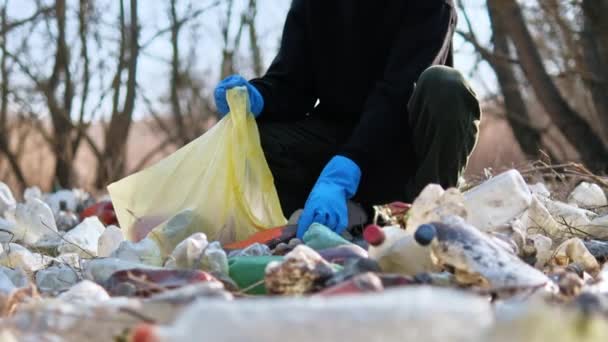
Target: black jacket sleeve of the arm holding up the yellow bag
<point x="287" y="87"/>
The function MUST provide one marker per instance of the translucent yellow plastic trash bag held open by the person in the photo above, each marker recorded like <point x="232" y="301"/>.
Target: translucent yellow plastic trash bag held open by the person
<point x="222" y="177"/>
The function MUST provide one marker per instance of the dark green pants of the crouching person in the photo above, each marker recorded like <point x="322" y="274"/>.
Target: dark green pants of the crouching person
<point x="444" y="117"/>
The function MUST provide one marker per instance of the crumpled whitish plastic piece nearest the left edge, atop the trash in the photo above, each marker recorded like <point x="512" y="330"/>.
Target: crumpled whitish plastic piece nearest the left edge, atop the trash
<point x="33" y="220"/>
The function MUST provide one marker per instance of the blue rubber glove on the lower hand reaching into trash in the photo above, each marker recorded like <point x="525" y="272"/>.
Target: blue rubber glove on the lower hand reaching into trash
<point x="326" y="203"/>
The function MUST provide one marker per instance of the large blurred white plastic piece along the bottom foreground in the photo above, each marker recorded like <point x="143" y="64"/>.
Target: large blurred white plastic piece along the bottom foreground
<point x="394" y="315"/>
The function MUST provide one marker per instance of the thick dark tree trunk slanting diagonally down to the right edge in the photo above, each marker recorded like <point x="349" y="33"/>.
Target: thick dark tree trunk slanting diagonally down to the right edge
<point x="575" y="128"/>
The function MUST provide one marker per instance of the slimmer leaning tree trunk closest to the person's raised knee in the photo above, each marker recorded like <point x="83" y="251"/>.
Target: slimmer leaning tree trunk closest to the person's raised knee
<point x="527" y="136"/>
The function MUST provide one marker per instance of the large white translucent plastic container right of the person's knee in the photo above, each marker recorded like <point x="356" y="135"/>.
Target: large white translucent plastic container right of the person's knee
<point x="497" y="201"/>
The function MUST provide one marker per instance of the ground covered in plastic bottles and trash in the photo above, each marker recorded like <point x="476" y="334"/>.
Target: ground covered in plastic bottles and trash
<point x="512" y="256"/>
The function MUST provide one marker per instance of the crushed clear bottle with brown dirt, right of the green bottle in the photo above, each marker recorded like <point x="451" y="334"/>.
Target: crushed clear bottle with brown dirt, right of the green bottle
<point x="302" y="271"/>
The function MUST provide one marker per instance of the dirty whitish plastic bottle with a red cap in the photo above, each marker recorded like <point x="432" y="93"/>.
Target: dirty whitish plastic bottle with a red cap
<point x="397" y="252"/>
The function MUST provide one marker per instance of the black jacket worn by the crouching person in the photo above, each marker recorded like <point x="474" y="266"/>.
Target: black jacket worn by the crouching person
<point x="360" y="59"/>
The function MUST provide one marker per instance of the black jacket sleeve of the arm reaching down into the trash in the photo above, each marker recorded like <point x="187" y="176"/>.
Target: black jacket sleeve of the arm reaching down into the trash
<point x="419" y="45"/>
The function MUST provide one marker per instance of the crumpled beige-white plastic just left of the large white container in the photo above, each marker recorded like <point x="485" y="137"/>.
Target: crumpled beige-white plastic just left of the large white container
<point x="433" y="203"/>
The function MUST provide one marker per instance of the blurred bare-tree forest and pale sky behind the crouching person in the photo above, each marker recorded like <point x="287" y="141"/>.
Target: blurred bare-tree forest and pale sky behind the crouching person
<point x="93" y="90"/>
